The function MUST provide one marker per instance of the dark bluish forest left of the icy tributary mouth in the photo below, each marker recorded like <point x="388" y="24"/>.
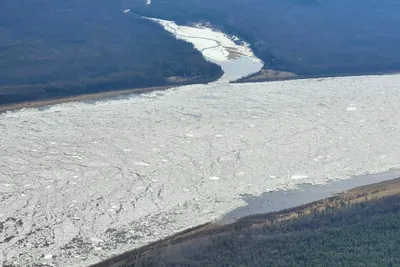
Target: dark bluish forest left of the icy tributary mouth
<point x="54" y="48"/>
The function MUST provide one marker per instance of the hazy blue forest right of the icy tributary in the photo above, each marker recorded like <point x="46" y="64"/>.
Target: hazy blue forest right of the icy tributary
<point x="306" y="37"/>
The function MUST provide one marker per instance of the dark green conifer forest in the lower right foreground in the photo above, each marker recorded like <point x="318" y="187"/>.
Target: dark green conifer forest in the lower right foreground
<point x="365" y="234"/>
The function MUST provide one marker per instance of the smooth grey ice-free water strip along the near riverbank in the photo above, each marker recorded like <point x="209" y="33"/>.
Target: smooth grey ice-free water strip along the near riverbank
<point x="306" y="193"/>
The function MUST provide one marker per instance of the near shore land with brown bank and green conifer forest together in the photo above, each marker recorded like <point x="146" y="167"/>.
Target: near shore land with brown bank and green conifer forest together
<point x="358" y="227"/>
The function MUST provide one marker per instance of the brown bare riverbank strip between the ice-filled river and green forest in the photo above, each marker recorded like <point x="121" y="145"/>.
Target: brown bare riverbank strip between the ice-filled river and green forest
<point x="203" y="235"/>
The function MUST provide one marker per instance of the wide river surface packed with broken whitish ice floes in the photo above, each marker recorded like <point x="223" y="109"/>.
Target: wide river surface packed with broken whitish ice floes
<point x="80" y="182"/>
